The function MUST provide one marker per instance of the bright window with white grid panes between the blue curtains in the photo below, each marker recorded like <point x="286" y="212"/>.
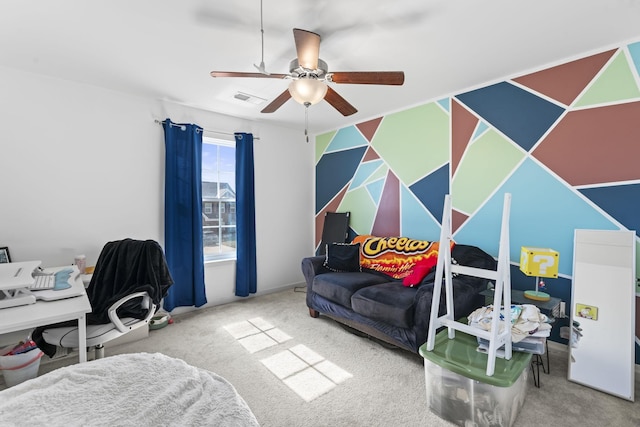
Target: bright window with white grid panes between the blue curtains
<point x="218" y="199"/>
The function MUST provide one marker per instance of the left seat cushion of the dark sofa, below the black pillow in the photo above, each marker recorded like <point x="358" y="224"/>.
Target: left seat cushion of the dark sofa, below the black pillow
<point x="338" y="287"/>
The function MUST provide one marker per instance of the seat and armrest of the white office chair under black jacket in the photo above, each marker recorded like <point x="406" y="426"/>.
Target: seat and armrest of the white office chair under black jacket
<point x="98" y="335"/>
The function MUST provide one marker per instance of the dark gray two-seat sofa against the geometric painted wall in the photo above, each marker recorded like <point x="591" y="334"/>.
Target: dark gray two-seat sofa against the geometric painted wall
<point x="381" y="307"/>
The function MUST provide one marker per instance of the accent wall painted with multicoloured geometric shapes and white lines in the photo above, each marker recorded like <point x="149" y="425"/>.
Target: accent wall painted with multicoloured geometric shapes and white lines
<point x="564" y="141"/>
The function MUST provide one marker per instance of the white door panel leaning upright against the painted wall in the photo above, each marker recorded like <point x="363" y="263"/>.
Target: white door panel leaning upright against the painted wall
<point x="603" y="309"/>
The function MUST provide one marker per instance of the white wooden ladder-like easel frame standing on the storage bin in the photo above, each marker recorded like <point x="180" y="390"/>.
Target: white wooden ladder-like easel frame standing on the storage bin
<point x="502" y="278"/>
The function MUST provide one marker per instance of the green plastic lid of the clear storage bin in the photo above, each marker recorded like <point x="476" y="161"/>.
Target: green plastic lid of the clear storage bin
<point x="460" y="355"/>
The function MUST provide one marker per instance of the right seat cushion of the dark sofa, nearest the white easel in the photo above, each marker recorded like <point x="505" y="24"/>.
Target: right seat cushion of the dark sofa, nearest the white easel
<point x="390" y="302"/>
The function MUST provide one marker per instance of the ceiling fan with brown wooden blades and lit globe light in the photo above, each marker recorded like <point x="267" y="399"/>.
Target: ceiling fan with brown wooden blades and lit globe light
<point x="309" y="76"/>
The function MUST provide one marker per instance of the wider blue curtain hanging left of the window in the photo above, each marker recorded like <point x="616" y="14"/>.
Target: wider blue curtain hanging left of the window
<point x="183" y="214"/>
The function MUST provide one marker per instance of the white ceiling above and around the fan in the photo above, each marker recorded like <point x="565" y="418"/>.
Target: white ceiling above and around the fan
<point x="165" y="49"/>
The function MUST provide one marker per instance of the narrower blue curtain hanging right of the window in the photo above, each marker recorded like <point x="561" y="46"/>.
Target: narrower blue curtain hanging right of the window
<point x="246" y="276"/>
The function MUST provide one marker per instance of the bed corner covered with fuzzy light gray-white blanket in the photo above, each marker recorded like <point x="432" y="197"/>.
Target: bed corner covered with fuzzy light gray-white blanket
<point x="139" y="389"/>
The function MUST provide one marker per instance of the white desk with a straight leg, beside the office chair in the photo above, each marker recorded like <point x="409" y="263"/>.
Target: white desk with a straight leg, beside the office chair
<point x="45" y="312"/>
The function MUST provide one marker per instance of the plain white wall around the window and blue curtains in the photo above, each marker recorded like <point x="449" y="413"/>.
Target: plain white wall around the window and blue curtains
<point x="81" y="165"/>
